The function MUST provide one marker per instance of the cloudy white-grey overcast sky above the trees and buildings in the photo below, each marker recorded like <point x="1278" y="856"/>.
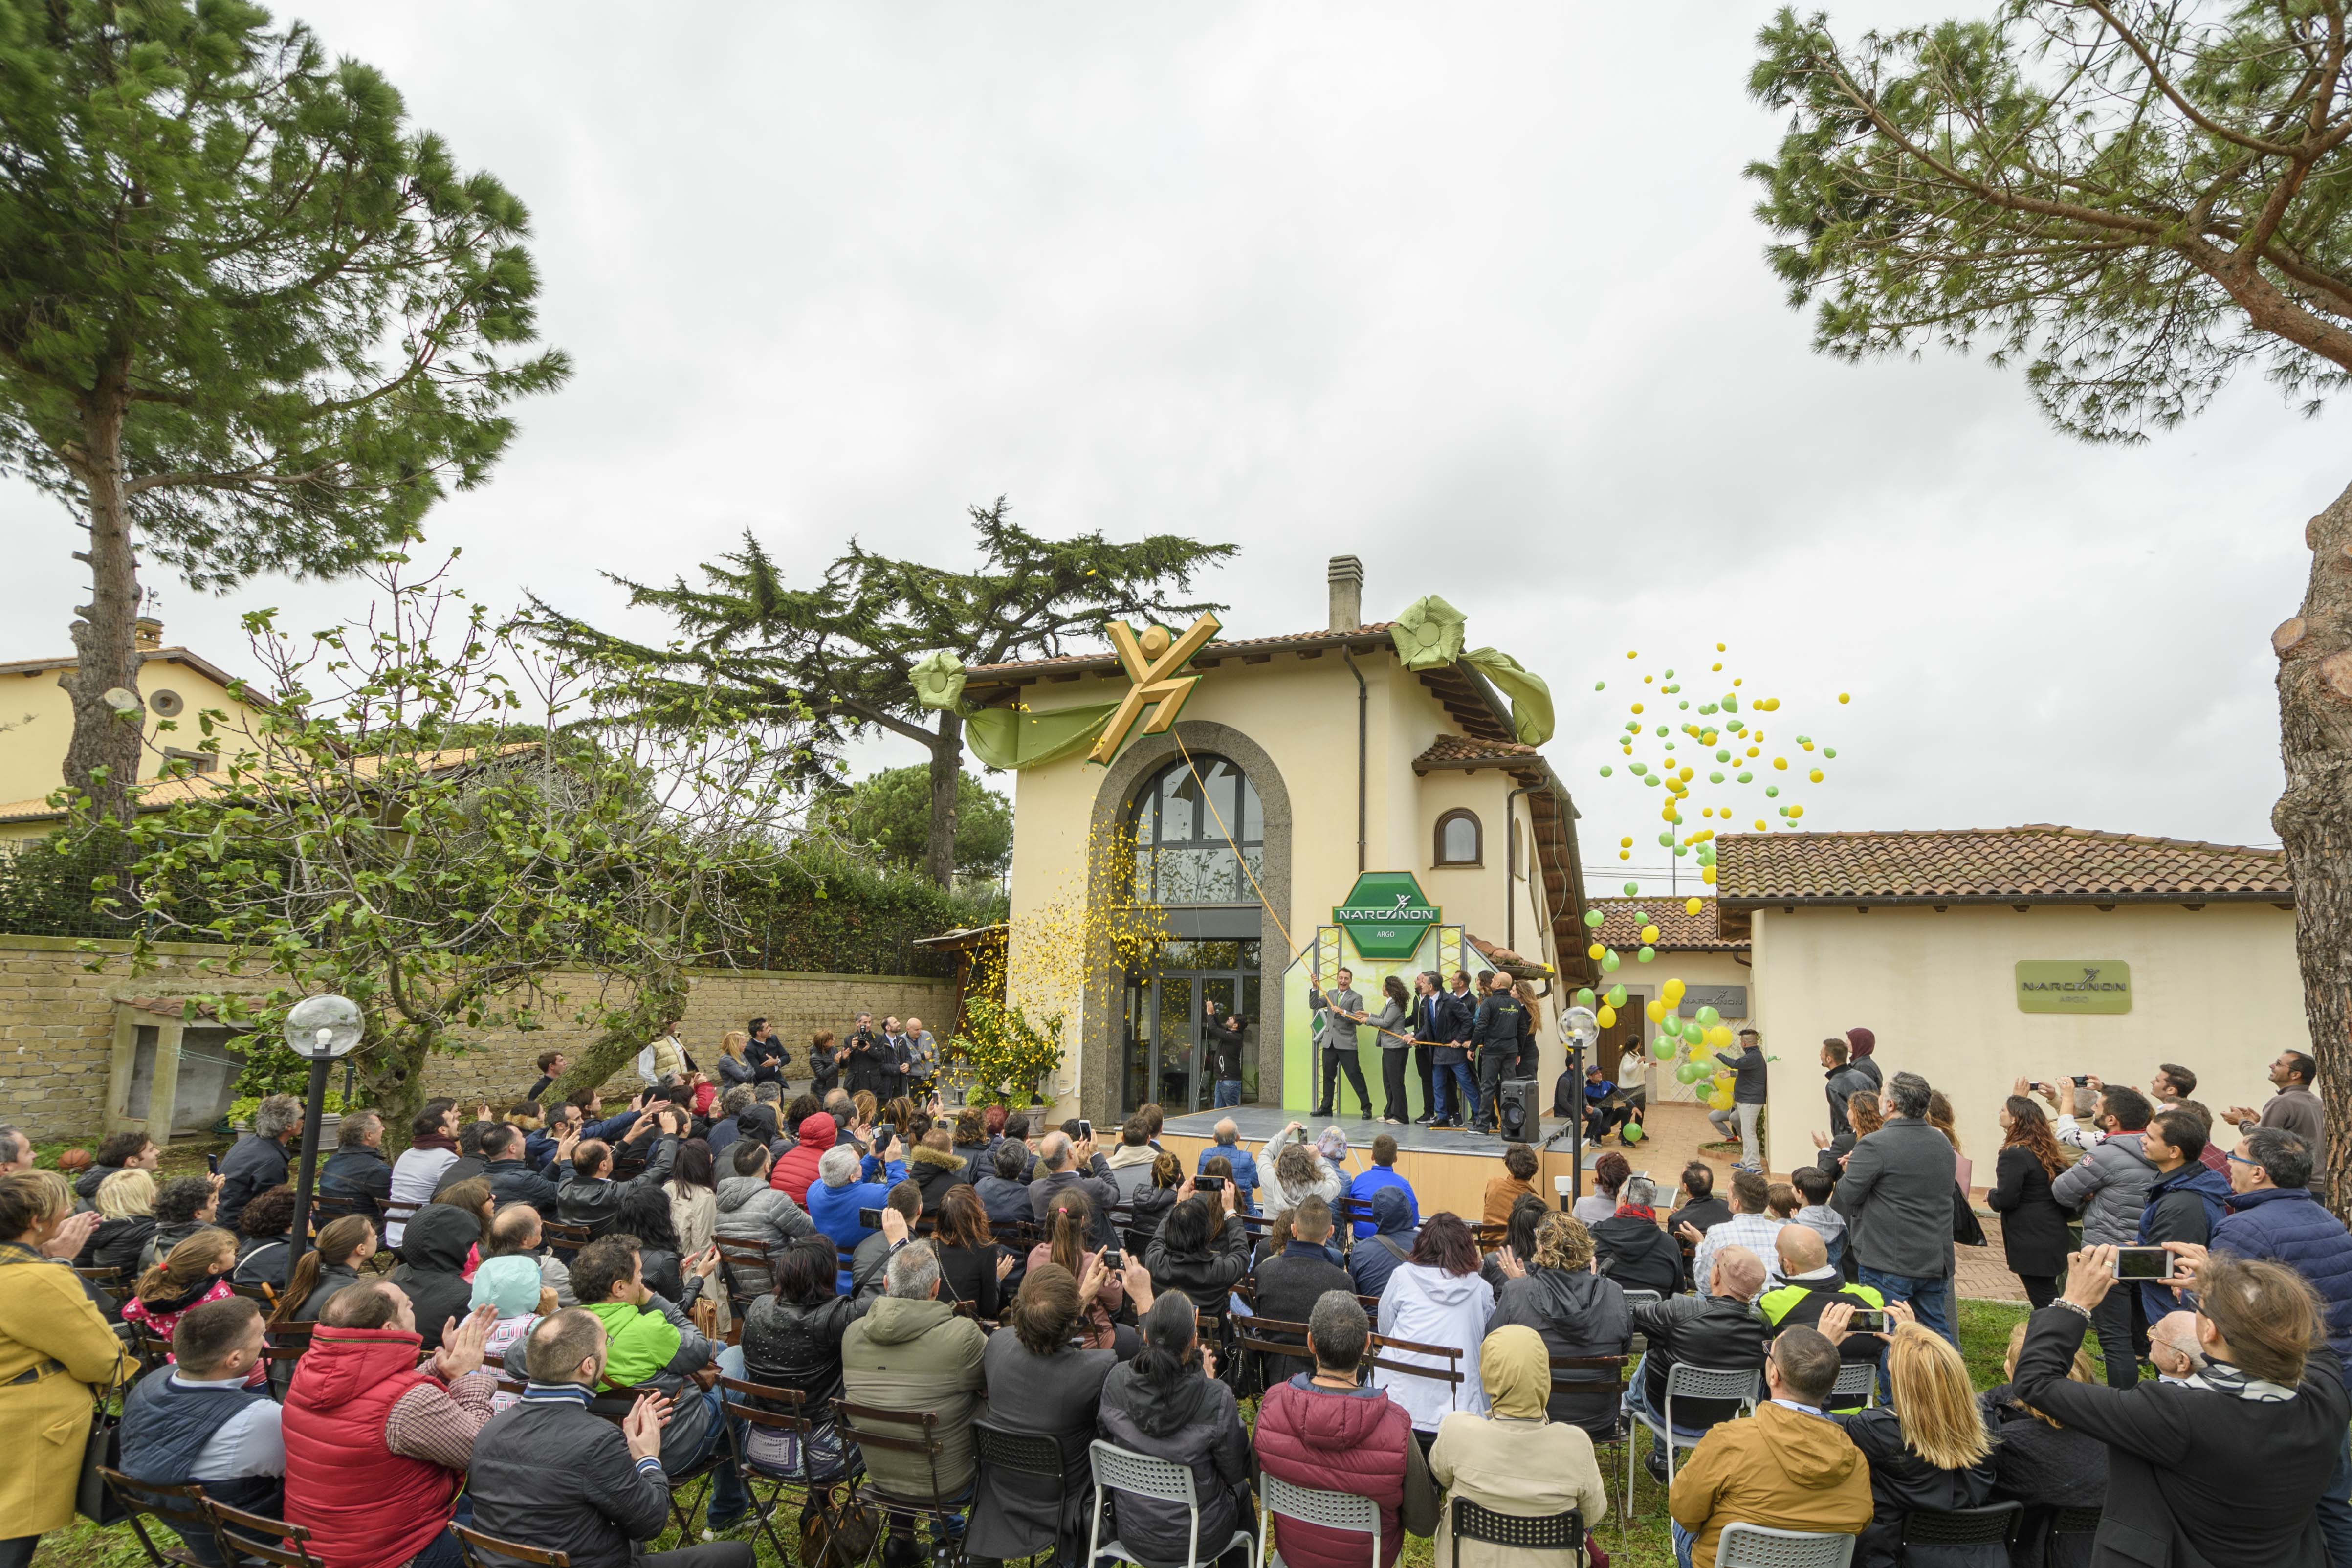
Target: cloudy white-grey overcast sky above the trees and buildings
<point x="1471" y="293"/>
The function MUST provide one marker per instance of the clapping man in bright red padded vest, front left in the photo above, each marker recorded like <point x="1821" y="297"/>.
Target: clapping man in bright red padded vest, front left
<point x="380" y="1435"/>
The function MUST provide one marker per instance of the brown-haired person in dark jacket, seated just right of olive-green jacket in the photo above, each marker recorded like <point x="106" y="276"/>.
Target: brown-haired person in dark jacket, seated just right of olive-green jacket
<point x="1041" y="1381"/>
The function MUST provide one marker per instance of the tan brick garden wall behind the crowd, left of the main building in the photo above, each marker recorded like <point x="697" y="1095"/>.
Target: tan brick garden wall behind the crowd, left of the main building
<point x="58" y="1024"/>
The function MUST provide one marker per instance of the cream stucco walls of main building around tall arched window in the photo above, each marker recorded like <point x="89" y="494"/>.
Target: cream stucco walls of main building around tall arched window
<point x="1304" y="713"/>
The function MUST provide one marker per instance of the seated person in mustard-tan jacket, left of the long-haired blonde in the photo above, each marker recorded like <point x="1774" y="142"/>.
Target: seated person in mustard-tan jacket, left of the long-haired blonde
<point x="1786" y="1470"/>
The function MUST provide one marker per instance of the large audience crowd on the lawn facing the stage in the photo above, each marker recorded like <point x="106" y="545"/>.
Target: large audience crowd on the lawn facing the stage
<point x="855" y="1294"/>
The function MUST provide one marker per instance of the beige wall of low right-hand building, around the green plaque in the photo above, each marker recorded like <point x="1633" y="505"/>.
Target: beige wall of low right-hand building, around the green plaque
<point x="2214" y="991"/>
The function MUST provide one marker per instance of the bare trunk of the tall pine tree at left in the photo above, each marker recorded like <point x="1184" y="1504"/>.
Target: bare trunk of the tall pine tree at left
<point x="105" y="751"/>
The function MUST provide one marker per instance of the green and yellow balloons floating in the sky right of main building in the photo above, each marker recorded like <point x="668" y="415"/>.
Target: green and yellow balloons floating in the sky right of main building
<point x="1723" y="758"/>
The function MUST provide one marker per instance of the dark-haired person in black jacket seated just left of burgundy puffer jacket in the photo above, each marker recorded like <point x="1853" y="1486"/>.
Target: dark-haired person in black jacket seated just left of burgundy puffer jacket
<point x="1170" y="1405"/>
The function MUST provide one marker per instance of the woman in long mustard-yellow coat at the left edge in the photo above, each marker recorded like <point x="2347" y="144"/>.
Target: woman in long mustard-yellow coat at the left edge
<point x="58" y="1355"/>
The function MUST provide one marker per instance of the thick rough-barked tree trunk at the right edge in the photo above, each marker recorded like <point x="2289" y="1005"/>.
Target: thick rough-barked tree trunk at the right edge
<point x="2316" y="815"/>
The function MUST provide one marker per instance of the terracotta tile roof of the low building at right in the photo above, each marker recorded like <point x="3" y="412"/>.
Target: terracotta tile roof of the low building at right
<point x="2036" y="864"/>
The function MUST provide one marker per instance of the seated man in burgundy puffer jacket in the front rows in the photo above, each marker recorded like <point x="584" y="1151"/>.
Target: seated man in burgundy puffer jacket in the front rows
<point x="1323" y="1430"/>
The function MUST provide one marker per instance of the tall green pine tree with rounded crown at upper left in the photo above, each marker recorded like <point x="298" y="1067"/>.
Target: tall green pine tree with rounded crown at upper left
<point x="250" y="319"/>
